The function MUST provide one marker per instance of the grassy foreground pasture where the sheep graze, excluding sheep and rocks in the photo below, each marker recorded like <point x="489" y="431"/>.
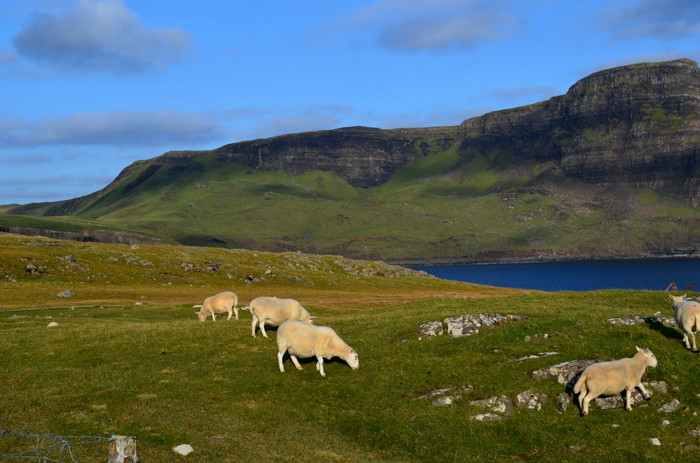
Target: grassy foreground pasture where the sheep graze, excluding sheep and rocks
<point x="139" y="363"/>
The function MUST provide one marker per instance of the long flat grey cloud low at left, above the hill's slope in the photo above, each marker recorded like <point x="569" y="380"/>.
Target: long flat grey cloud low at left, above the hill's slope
<point x="122" y="128"/>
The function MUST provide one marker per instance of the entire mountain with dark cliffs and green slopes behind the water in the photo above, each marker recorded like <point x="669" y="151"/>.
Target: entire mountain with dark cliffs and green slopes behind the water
<point x="620" y="148"/>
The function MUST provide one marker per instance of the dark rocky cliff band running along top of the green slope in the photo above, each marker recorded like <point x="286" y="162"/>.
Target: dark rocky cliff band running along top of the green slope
<point x="636" y="125"/>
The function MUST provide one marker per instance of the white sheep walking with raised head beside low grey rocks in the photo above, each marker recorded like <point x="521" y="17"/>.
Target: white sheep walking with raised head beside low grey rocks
<point x="607" y="378"/>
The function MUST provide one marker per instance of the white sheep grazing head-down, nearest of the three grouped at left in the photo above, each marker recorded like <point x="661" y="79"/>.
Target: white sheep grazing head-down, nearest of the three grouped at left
<point x="304" y="340"/>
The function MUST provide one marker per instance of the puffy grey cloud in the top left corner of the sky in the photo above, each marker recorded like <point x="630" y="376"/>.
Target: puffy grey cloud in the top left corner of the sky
<point x="98" y="36"/>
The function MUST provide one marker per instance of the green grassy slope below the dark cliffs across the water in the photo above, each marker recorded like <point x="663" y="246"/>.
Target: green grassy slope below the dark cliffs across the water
<point x="438" y="208"/>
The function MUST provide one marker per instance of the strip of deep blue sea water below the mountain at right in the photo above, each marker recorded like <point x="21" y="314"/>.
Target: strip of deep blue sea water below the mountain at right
<point x="650" y="274"/>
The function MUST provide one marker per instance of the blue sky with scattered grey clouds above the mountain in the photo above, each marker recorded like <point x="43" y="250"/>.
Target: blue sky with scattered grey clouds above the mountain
<point x="89" y="86"/>
